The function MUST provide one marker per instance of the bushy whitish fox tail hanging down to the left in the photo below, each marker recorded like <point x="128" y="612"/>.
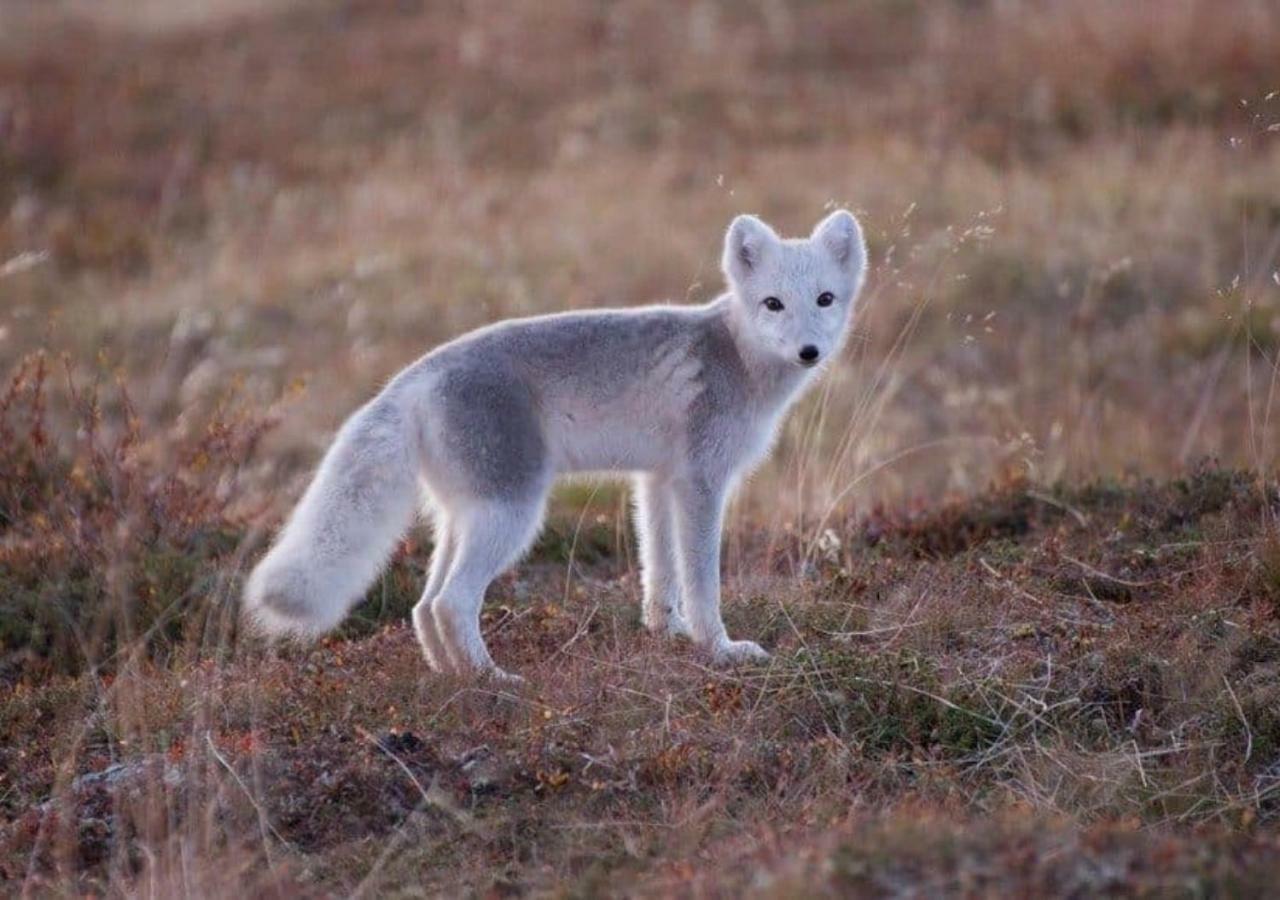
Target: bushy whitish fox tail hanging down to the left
<point x="339" y="538"/>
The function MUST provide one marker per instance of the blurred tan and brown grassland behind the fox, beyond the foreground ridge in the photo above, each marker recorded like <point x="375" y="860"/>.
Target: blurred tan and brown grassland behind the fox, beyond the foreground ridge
<point x="1073" y="212"/>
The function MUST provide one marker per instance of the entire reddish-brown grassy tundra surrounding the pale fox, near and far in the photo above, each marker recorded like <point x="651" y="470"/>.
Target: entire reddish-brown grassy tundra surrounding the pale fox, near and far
<point x="1039" y="490"/>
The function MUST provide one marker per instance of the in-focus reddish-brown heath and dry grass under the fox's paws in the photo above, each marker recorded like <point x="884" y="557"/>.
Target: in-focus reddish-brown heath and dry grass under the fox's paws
<point x="1092" y="673"/>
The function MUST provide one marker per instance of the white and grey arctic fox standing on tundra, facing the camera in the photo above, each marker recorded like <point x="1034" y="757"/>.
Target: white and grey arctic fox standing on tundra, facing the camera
<point x="684" y="399"/>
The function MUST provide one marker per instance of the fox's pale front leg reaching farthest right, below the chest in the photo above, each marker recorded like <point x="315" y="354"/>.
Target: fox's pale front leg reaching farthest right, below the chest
<point x="700" y="518"/>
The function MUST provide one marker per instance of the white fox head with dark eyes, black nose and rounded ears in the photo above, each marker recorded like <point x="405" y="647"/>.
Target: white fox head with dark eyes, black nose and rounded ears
<point x="796" y="296"/>
